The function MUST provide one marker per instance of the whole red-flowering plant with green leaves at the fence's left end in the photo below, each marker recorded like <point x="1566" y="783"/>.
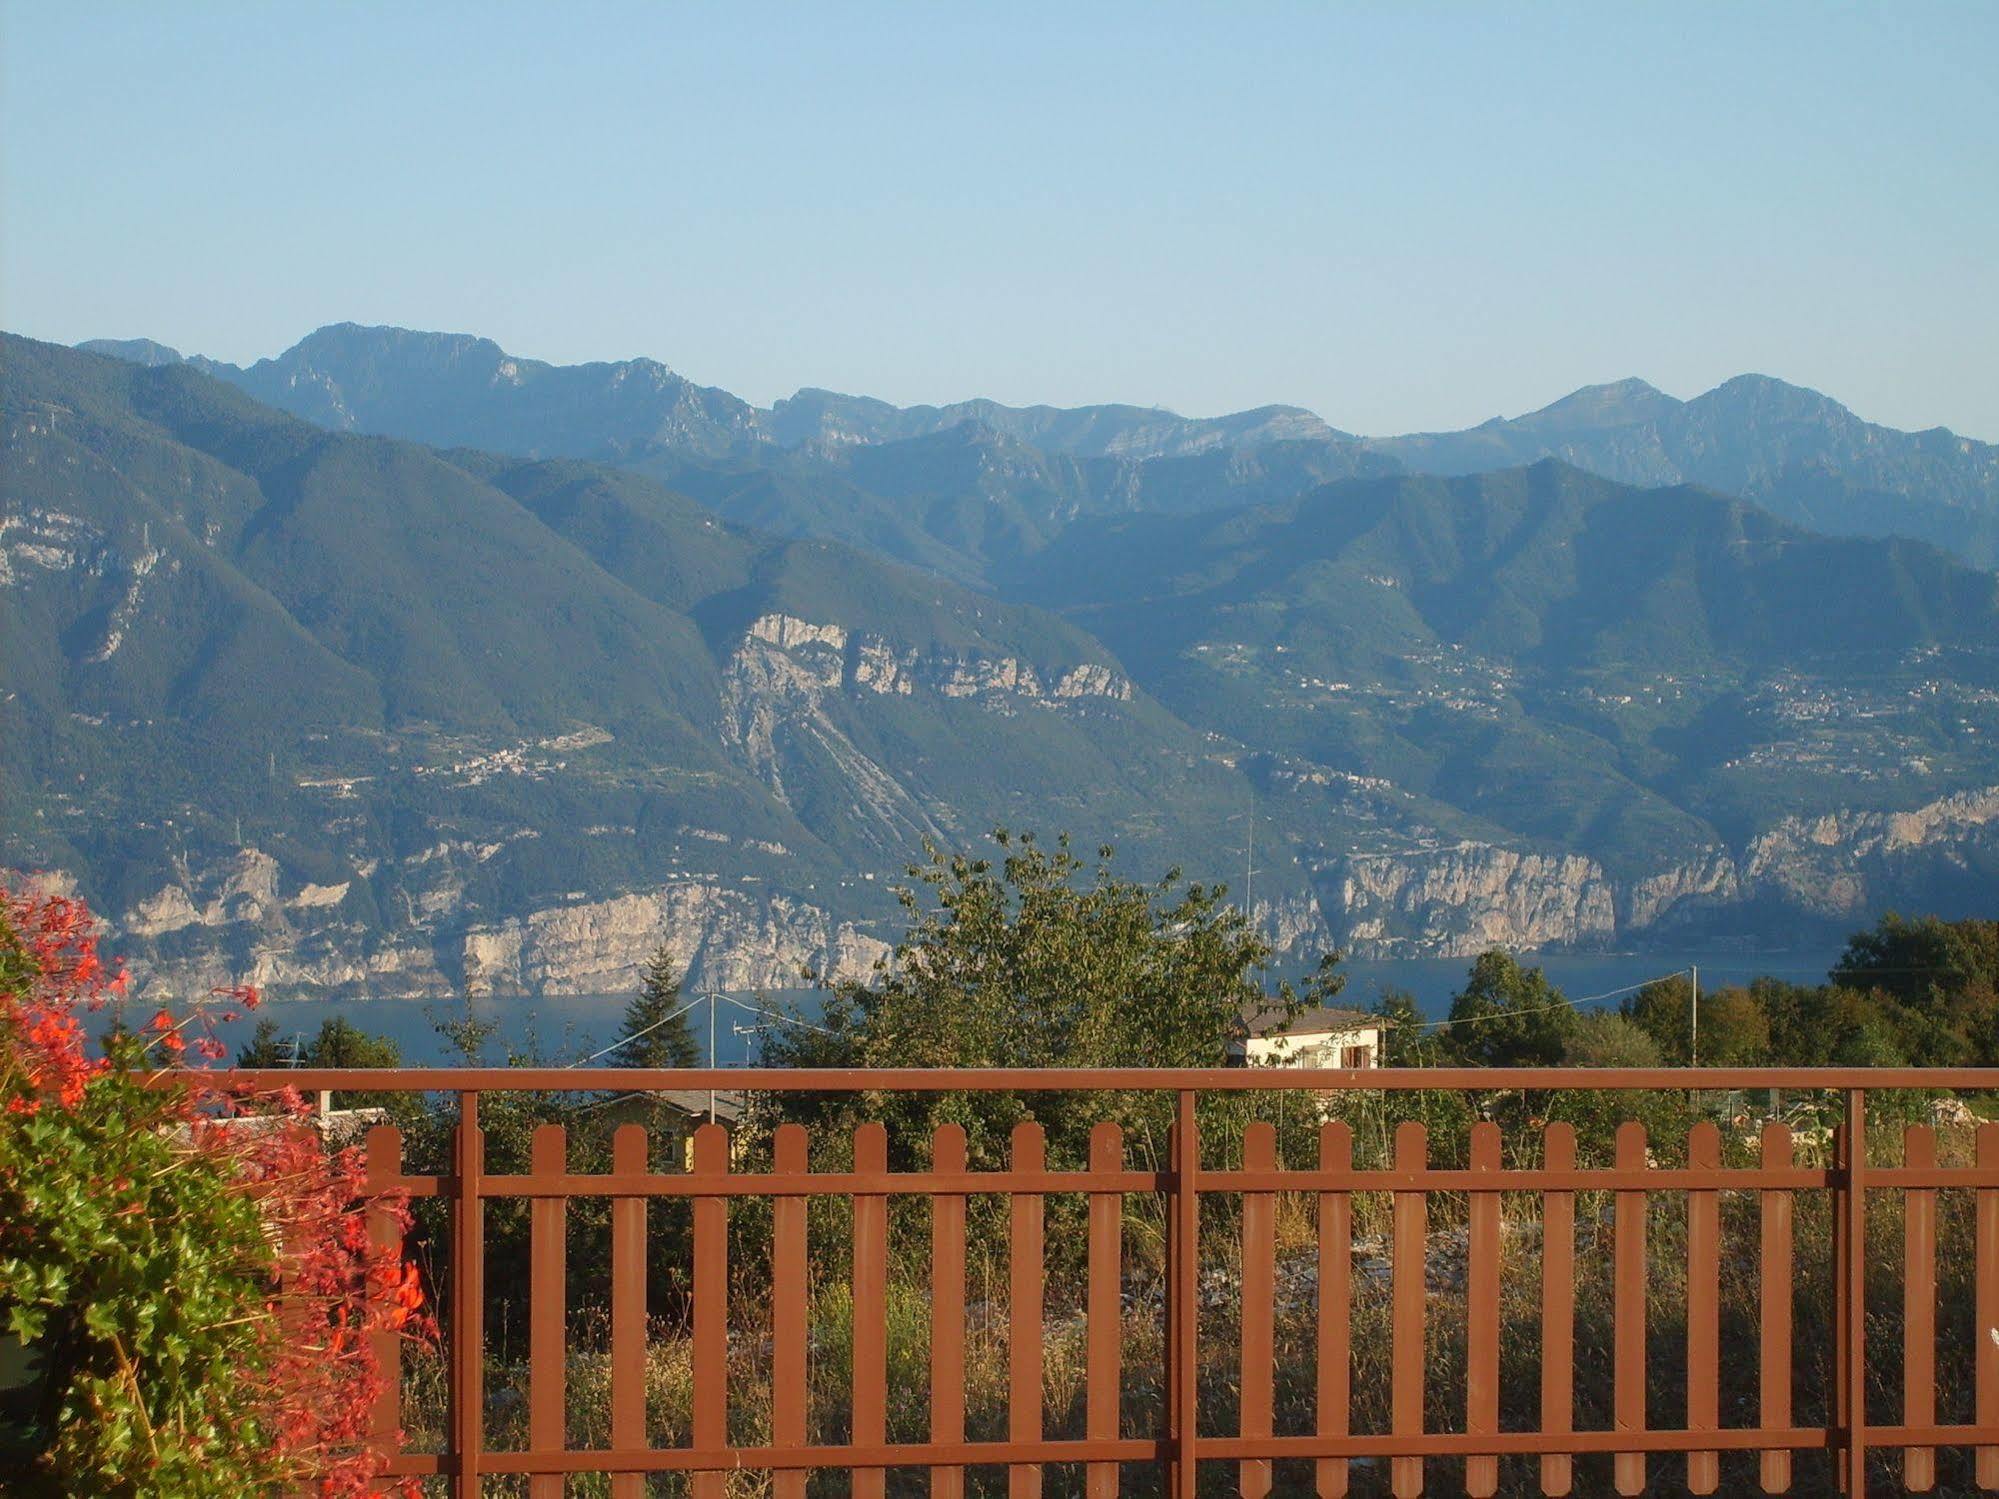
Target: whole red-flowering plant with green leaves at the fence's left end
<point x="189" y="1290"/>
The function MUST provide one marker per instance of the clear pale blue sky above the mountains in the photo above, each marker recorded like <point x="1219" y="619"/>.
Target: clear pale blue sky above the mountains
<point x="1402" y="217"/>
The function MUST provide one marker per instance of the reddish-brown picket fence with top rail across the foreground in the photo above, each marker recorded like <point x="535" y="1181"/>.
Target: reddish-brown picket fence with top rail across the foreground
<point x="1408" y="1182"/>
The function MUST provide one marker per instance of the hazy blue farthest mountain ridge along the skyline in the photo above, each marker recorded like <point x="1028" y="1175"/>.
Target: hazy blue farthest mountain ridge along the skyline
<point x="1792" y="451"/>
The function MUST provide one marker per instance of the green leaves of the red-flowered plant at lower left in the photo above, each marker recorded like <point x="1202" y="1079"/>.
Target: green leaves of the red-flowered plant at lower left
<point x="143" y="1272"/>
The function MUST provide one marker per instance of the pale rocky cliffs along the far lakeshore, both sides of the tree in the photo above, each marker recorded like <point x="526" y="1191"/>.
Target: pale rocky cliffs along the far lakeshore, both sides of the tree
<point x="245" y="922"/>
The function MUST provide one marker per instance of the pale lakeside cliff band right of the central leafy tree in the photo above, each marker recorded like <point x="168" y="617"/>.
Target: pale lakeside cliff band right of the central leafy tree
<point x="1458" y="900"/>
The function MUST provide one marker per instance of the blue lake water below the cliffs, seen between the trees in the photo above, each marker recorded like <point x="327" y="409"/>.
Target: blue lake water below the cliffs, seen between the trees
<point x="569" y="1028"/>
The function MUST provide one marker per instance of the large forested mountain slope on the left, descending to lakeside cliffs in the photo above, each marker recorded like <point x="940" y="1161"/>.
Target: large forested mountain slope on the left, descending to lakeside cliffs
<point x="365" y="715"/>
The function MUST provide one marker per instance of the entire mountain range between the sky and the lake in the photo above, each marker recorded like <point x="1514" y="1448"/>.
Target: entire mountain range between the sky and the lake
<point x="403" y="667"/>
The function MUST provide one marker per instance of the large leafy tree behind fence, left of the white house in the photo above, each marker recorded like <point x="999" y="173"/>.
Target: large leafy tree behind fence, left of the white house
<point x="1038" y="960"/>
